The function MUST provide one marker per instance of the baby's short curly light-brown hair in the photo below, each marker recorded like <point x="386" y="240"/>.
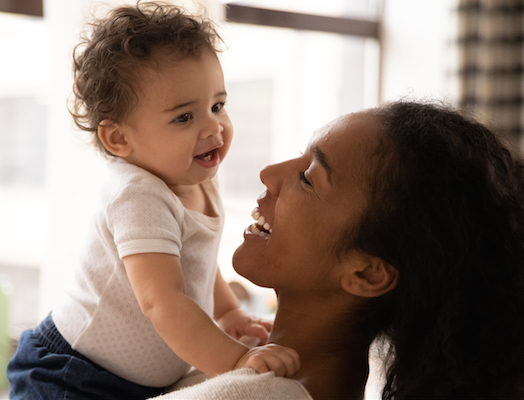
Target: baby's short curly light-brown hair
<point x="106" y="62"/>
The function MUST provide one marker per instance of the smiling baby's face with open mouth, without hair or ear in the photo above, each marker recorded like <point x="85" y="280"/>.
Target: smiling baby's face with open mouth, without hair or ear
<point x="180" y="130"/>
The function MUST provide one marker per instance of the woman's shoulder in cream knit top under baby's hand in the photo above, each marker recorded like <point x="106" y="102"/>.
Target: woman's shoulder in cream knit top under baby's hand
<point x="242" y="384"/>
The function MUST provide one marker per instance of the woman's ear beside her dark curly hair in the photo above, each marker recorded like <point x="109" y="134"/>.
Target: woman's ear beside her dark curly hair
<point x="368" y="276"/>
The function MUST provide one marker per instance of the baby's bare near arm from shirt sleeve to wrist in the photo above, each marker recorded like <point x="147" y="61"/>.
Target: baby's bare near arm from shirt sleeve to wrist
<point x="158" y="283"/>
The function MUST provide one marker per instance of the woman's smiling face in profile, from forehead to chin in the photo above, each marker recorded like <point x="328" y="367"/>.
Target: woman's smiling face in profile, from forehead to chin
<point x="308" y="203"/>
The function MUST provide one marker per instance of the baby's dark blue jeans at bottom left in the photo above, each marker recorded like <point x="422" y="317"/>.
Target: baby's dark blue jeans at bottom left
<point x="46" y="367"/>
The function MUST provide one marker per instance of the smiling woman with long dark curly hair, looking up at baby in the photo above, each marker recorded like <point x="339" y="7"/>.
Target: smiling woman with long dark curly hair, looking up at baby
<point x="403" y="223"/>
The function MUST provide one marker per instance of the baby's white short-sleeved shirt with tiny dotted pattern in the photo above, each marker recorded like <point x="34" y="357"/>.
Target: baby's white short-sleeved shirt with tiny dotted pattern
<point x="100" y="316"/>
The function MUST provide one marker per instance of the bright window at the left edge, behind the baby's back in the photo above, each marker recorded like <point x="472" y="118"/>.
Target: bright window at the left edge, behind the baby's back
<point x="24" y="75"/>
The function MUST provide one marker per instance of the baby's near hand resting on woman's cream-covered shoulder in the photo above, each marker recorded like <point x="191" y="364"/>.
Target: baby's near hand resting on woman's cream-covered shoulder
<point x="283" y="361"/>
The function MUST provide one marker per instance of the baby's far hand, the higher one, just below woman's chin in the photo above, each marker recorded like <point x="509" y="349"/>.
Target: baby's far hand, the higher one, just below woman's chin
<point x="238" y="323"/>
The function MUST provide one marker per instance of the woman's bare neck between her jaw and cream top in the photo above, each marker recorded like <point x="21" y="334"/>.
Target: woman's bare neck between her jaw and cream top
<point x="334" y="363"/>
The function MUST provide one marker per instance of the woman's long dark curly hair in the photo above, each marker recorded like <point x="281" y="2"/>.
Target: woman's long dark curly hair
<point x="447" y="211"/>
